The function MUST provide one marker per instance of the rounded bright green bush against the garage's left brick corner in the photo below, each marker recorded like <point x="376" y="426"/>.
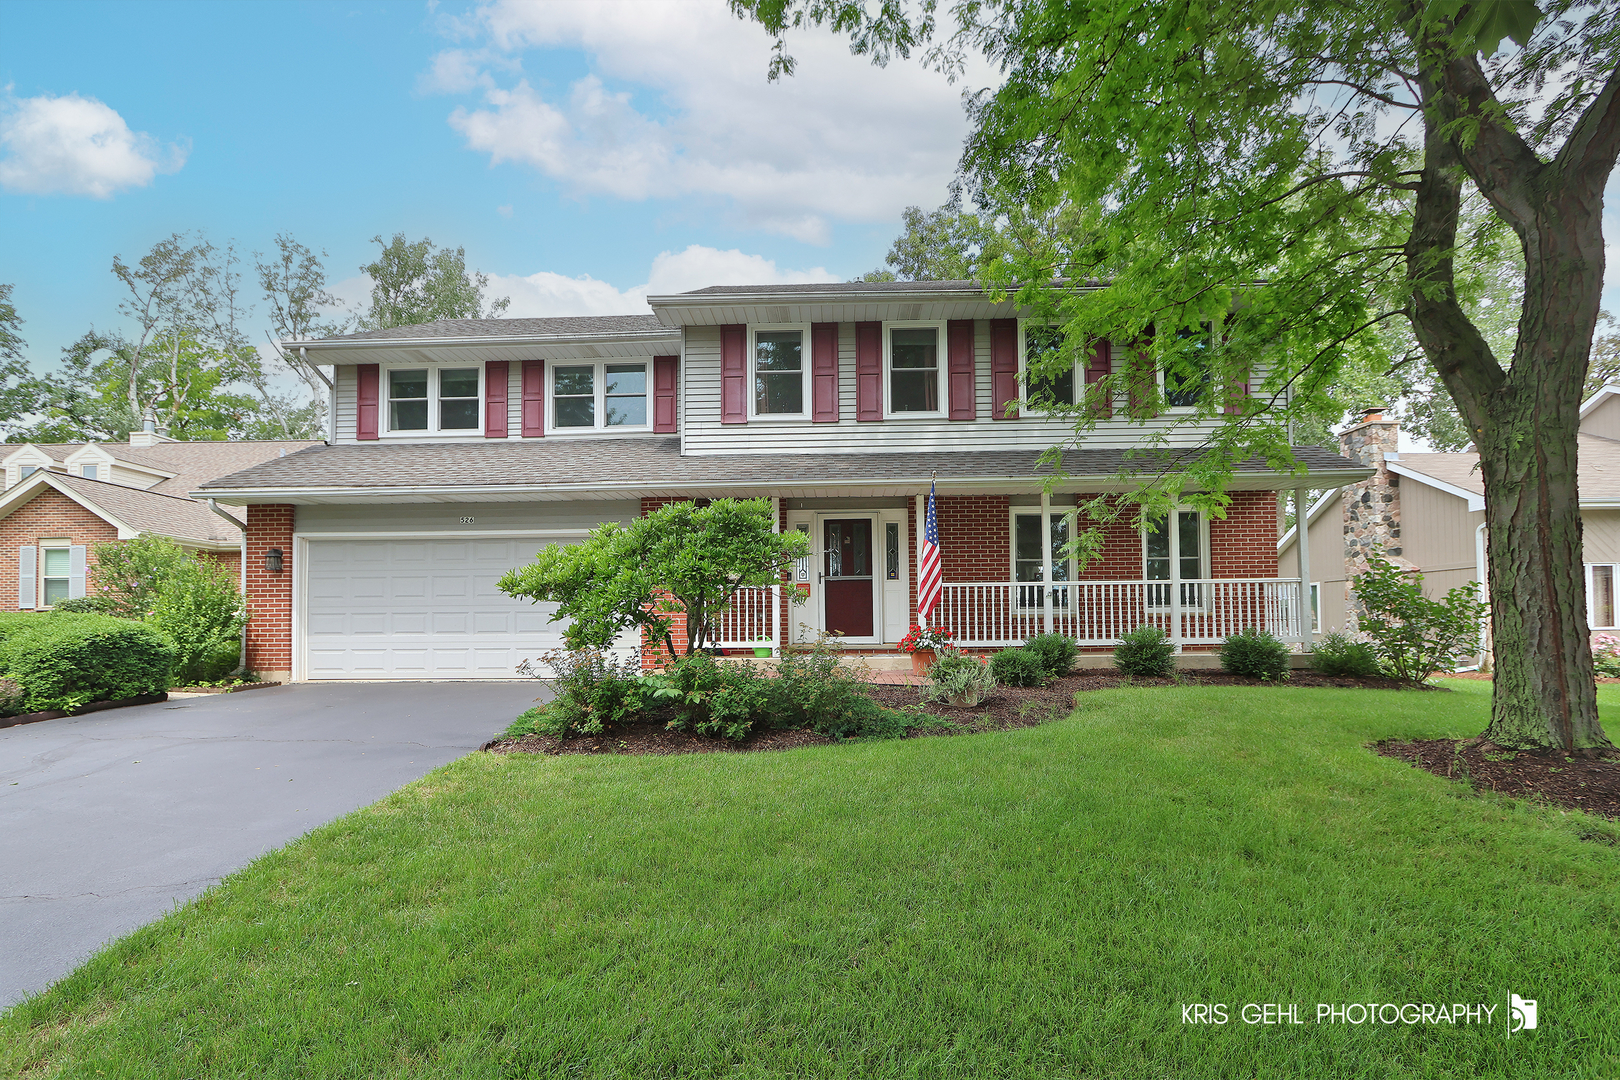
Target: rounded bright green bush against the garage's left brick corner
<point x="200" y="608"/>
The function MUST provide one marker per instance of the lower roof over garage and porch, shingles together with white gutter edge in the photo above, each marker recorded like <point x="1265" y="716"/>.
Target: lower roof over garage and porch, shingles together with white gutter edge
<point x="565" y="469"/>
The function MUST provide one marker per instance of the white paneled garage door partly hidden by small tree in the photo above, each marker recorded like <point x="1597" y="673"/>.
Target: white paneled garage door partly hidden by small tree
<point x="420" y="610"/>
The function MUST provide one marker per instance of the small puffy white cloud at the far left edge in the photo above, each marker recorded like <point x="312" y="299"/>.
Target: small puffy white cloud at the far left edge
<point x="77" y="147"/>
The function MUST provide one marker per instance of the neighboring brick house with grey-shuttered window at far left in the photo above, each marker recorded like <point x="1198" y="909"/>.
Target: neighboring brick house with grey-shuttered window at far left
<point x="62" y="500"/>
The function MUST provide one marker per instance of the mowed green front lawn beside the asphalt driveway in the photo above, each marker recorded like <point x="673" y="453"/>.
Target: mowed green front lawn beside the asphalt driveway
<point x="1026" y="904"/>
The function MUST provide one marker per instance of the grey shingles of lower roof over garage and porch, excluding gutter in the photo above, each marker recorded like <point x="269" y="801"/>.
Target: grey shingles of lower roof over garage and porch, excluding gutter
<point x="571" y="464"/>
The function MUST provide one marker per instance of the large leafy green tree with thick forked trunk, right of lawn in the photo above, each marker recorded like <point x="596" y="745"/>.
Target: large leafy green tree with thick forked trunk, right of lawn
<point x="1248" y="190"/>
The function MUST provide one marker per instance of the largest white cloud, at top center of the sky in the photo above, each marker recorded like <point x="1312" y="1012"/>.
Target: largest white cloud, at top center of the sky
<point x="678" y="104"/>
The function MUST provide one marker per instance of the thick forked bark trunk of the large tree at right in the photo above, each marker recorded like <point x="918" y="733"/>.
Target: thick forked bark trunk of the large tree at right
<point x="1525" y="420"/>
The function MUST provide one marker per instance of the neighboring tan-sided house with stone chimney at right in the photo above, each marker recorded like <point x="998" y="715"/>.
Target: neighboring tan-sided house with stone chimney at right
<point x="1428" y="512"/>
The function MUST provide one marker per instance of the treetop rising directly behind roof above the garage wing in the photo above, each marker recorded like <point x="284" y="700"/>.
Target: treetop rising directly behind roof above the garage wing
<point x="417" y="283"/>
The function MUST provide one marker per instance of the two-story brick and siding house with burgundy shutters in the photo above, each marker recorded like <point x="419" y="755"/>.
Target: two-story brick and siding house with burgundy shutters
<point x="463" y="448"/>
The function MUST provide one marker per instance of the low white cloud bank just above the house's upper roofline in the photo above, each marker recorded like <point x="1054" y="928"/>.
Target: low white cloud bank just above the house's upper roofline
<point x="547" y="294"/>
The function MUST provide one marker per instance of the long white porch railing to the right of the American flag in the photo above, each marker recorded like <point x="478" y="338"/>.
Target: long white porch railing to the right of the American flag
<point x="1102" y="613"/>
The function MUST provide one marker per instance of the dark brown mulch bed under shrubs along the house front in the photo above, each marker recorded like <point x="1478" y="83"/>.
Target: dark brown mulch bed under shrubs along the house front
<point x="1008" y="708"/>
